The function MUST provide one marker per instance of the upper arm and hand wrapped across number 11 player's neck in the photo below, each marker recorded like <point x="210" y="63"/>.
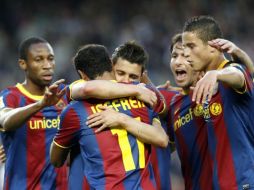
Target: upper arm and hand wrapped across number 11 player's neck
<point x="102" y="89"/>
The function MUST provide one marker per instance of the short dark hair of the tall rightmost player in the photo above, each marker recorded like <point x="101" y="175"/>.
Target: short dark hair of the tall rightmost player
<point x="206" y="27"/>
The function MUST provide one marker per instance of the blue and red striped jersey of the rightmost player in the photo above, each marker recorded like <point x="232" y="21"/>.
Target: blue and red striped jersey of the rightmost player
<point x="230" y="126"/>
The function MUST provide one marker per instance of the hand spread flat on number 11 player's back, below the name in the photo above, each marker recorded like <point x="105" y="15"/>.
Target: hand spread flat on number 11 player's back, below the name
<point x="107" y="118"/>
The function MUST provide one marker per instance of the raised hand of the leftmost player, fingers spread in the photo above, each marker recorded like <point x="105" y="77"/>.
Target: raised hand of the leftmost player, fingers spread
<point x="52" y="94"/>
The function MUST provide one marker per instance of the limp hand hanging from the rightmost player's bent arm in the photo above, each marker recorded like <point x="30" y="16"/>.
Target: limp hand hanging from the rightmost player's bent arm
<point x="205" y="87"/>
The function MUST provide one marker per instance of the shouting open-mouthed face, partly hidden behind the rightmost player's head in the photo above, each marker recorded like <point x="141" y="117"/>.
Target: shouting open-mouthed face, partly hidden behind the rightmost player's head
<point x="183" y="73"/>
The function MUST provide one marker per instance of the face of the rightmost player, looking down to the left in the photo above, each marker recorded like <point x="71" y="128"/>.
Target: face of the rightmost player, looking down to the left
<point x="196" y="51"/>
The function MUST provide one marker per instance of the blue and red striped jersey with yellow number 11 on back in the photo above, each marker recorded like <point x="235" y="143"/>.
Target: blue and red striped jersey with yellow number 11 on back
<point x="112" y="159"/>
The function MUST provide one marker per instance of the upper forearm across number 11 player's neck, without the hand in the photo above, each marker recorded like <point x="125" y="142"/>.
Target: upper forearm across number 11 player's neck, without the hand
<point x="103" y="89"/>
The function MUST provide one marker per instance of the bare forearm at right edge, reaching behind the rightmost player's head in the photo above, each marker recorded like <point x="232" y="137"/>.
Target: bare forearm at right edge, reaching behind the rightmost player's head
<point x="243" y="57"/>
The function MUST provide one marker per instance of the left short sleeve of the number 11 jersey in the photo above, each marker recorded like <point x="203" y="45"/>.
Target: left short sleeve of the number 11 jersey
<point x="69" y="130"/>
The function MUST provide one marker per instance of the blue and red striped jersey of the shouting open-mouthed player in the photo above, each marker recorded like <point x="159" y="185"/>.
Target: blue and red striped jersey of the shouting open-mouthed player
<point x="191" y="141"/>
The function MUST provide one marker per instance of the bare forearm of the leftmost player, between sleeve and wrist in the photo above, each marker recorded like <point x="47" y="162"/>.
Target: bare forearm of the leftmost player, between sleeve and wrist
<point x="12" y="119"/>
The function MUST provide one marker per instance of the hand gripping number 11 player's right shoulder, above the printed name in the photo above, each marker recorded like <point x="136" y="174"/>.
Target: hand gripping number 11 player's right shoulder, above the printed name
<point x="146" y="95"/>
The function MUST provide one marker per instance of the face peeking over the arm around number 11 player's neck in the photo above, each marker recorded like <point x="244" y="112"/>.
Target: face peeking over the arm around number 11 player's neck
<point x="127" y="72"/>
